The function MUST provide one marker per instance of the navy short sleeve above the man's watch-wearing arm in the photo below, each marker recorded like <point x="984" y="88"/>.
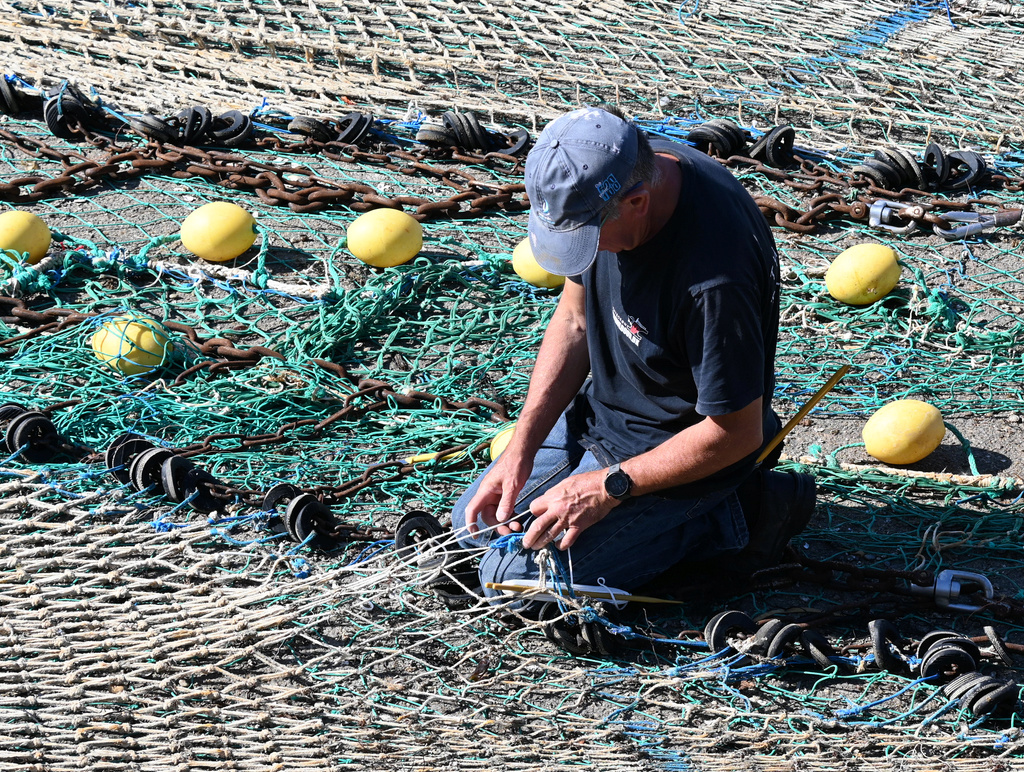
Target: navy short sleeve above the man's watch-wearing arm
<point x="726" y="346"/>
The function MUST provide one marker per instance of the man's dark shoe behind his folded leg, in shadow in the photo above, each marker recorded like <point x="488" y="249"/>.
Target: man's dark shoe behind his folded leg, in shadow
<point x="778" y="506"/>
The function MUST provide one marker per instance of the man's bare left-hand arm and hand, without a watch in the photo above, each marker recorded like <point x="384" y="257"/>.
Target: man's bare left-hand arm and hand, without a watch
<point x="562" y="368"/>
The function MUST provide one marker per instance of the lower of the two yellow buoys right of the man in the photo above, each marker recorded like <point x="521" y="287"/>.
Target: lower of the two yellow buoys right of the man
<point x="904" y="432"/>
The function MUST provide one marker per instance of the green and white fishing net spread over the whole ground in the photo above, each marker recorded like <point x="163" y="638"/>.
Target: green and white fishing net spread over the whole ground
<point x="144" y="634"/>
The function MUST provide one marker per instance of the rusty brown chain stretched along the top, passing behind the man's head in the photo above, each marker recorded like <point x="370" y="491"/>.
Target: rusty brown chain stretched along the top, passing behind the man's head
<point x="278" y="185"/>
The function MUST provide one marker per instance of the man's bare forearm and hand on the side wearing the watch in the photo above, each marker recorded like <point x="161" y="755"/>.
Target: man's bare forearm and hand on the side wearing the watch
<point x="580" y="501"/>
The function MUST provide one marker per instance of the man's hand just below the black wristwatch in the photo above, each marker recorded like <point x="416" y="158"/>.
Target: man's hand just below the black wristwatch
<point x="572" y="506"/>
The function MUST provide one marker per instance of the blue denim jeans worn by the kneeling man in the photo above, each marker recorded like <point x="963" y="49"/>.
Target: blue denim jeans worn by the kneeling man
<point x="638" y="540"/>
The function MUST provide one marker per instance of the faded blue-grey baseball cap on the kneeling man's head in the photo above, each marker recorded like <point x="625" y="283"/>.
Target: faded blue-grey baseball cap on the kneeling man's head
<point x="580" y="161"/>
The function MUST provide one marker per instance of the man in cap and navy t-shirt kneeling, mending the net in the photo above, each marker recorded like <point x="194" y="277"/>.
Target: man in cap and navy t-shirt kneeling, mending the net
<point x="652" y="394"/>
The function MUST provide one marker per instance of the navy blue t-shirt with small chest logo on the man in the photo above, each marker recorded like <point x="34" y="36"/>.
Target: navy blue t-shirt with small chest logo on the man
<point x="686" y="326"/>
